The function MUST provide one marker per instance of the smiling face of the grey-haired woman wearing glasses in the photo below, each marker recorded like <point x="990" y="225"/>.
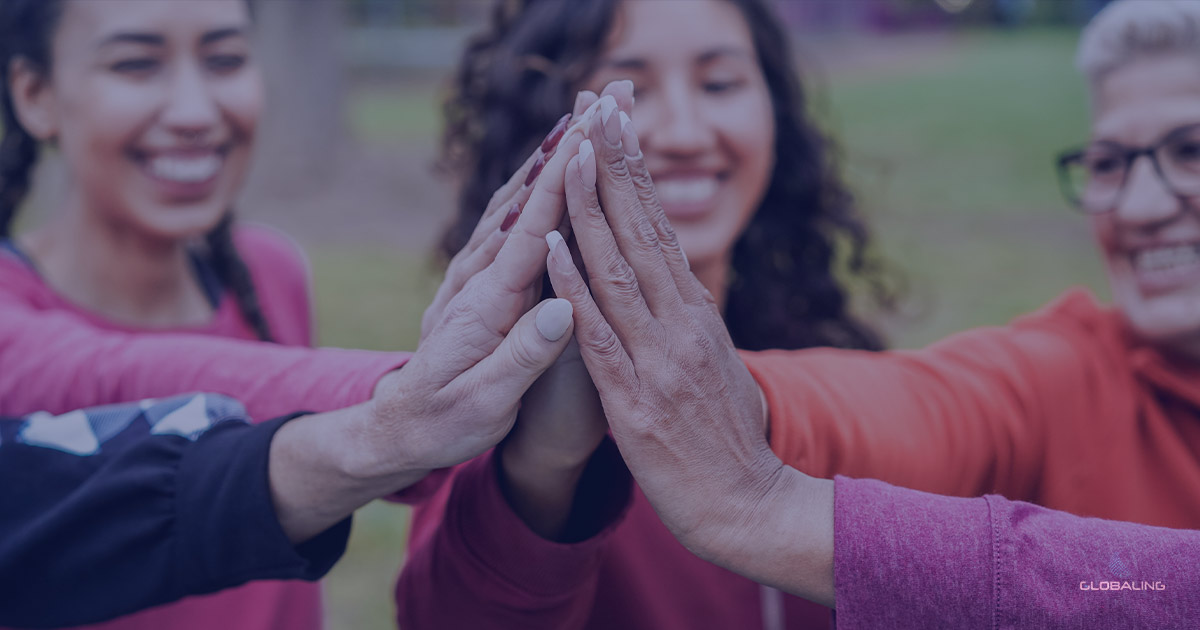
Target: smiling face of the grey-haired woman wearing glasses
<point x="1151" y="239"/>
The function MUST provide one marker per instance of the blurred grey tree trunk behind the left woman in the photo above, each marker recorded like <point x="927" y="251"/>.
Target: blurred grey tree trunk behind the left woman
<point x="304" y="128"/>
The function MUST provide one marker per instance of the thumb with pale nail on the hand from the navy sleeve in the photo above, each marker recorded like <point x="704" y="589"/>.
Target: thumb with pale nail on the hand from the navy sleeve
<point x="527" y="351"/>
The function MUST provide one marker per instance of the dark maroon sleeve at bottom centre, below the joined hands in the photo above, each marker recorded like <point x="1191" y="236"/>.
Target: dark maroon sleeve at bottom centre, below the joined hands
<point x="475" y="563"/>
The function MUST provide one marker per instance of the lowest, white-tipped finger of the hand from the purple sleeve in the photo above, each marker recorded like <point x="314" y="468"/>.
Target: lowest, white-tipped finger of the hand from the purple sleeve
<point x="603" y="353"/>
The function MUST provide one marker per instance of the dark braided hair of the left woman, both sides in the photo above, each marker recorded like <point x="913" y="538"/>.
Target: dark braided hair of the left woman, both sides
<point x="27" y="29"/>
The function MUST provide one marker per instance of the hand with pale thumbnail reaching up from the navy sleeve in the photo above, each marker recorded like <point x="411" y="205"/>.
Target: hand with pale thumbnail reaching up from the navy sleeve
<point x="483" y="346"/>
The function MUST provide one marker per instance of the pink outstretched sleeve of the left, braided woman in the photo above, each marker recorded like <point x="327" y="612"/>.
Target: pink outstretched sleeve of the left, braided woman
<point x="56" y="362"/>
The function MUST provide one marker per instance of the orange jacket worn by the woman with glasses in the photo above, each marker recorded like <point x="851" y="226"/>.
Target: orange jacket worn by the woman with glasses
<point x="1063" y="407"/>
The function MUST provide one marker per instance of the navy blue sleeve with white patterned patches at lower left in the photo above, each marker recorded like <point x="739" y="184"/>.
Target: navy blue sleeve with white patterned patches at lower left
<point x="110" y="511"/>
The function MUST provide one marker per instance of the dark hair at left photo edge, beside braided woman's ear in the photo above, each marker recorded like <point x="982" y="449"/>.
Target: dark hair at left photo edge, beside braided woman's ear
<point x="26" y="28"/>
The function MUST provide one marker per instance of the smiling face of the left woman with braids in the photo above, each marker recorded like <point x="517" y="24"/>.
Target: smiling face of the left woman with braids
<point x="154" y="109"/>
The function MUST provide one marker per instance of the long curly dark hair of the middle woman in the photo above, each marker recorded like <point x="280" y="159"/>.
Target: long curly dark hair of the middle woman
<point x="515" y="81"/>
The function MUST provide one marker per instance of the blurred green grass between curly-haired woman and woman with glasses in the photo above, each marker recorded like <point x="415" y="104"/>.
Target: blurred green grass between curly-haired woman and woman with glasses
<point x="955" y="165"/>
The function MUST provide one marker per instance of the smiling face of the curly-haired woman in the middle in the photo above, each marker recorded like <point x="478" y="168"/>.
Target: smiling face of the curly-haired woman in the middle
<point x="704" y="116"/>
